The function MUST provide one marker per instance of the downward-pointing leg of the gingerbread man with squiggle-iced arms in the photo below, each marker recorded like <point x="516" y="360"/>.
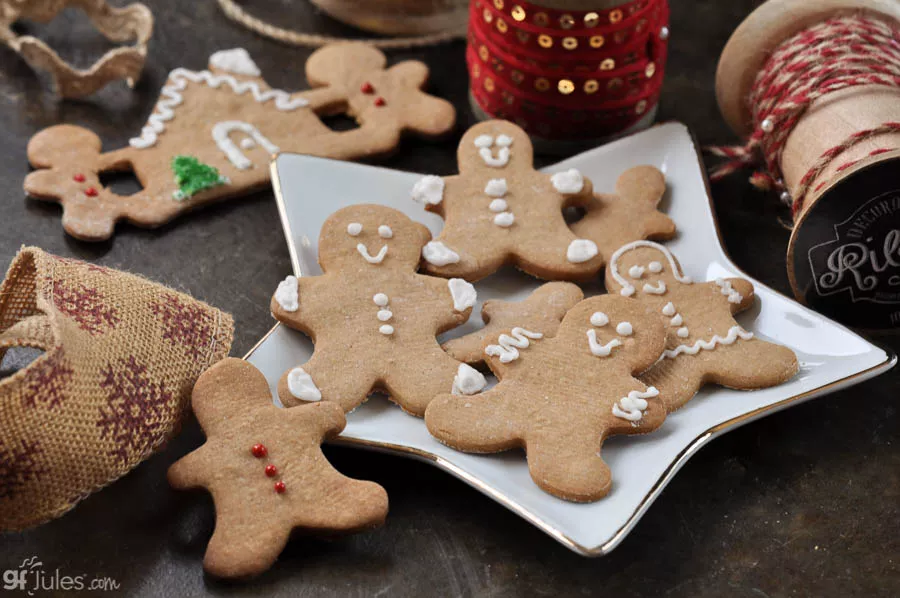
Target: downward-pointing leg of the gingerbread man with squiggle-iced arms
<point x="566" y="463"/>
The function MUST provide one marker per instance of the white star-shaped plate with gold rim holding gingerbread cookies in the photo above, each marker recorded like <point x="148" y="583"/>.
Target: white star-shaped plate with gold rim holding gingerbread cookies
<point x="832" y="357"/>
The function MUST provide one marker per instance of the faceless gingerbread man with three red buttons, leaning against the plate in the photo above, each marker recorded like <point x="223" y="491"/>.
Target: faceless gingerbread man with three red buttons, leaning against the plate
<point x="266" y="472"/>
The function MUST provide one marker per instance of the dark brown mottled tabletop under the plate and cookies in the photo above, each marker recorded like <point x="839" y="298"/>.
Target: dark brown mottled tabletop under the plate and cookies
<point x="804" y="502"/>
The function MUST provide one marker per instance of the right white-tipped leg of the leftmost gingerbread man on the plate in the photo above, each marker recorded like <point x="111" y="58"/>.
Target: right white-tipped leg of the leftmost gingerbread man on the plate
<point x="427" y="374"/>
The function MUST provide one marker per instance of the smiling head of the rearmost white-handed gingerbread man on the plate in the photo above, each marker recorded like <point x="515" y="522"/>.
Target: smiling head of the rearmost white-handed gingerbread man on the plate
<point x="495" y="146"/>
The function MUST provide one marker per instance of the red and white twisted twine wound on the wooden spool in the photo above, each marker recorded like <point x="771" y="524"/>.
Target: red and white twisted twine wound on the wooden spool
<point x="833" y="55"/>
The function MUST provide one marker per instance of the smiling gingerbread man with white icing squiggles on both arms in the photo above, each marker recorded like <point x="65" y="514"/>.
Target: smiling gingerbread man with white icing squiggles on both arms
<point x="559" y="398"/>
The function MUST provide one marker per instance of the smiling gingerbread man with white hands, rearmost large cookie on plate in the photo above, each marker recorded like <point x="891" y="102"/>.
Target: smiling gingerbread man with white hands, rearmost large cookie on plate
<point x="499" y="210"/>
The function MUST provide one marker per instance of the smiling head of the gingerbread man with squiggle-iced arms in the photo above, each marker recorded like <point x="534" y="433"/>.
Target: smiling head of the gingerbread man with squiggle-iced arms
<point x="610" y="327"/>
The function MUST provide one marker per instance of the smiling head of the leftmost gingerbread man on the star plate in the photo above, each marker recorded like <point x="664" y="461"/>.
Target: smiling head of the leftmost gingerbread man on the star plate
<point x="371" y="236"/>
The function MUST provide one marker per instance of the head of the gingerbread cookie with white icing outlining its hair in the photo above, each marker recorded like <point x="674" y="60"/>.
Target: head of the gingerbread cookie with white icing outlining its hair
<point x="643" y="268"/>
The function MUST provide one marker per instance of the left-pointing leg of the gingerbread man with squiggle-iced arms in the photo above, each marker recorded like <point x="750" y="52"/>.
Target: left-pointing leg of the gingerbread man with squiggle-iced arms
<point x="483" y="423"/>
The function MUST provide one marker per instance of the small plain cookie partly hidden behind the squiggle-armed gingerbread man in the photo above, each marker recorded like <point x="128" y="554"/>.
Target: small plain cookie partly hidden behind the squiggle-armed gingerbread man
<point x="540" y="313"/>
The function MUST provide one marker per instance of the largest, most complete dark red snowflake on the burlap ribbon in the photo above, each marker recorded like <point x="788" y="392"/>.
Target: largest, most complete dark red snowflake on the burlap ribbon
<point x="137" y="413"/>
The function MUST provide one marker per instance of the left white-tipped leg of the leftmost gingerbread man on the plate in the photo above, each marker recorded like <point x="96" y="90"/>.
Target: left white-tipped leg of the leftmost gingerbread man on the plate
<point x="326" y="377"/>
